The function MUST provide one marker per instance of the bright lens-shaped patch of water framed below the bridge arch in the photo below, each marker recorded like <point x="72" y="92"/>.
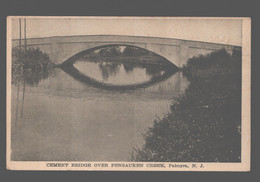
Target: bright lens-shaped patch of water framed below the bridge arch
<point x="118" y="73"/>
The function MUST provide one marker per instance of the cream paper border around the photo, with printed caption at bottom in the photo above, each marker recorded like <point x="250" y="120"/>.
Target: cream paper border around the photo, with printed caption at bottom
<point x="246" y="120"/>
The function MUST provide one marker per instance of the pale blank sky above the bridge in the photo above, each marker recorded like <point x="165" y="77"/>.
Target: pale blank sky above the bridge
<point x="224" y="31"/>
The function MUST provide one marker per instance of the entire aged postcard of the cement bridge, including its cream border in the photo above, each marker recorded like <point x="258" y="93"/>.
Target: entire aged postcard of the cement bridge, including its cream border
<point x="128" y="93"/>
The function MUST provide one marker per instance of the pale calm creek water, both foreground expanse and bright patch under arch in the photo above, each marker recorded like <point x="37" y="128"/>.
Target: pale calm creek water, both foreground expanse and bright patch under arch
<point x="63" y="118"/>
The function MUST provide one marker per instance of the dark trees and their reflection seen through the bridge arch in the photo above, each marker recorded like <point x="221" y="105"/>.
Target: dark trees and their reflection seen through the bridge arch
<point x="111" y="58"/>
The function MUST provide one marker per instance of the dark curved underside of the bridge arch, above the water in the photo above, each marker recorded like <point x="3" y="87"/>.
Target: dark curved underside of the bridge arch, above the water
<point x="80" y="53"/>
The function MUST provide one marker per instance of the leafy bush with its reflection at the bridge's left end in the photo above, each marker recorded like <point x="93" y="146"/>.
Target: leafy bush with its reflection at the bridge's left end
<point x="30" y="66"/>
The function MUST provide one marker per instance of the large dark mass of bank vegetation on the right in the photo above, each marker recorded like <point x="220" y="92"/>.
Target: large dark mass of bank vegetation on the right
<point x="204" y="124"/>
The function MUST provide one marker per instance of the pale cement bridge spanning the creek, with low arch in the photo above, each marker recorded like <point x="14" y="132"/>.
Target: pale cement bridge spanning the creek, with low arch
<point x="177" y="51"/>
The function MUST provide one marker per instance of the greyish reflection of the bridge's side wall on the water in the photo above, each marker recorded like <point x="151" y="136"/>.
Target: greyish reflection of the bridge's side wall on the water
<point x="66" y="86"/>
